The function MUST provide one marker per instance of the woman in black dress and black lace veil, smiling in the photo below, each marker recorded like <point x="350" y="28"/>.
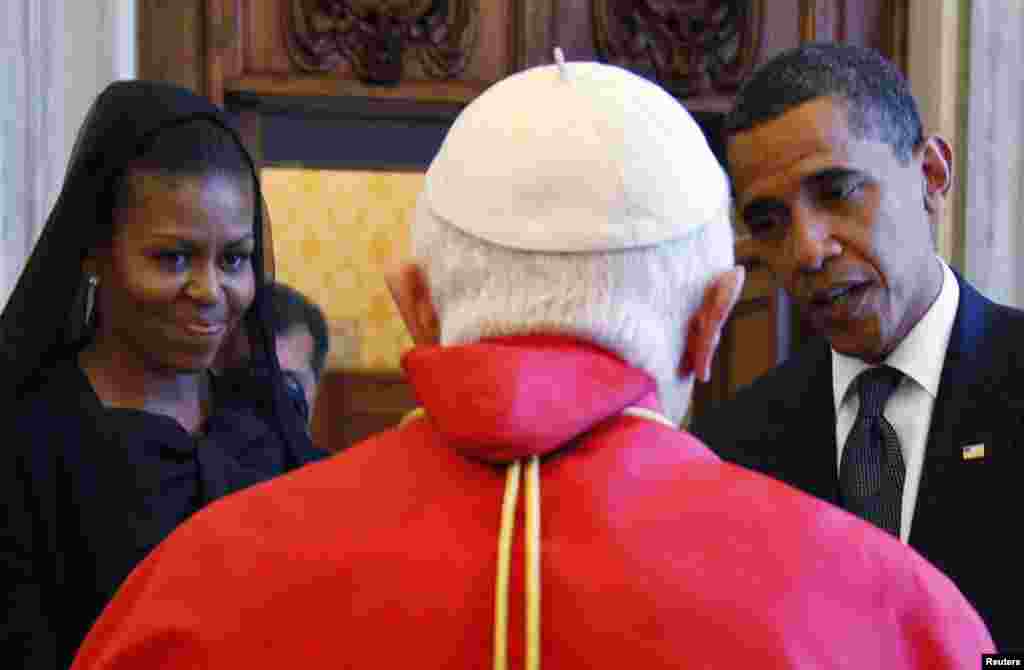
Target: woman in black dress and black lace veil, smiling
<point x="151" y="267"/>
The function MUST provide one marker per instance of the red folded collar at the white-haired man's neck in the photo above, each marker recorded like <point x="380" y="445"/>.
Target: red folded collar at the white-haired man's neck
<point x="572" y="386"/>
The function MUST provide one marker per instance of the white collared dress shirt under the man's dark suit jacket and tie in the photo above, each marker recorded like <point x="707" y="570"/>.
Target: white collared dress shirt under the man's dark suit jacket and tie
<point x="920" y="358"/>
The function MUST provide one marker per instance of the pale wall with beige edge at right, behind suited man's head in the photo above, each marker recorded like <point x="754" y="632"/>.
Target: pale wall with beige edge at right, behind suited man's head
<point x="965" y="68"/>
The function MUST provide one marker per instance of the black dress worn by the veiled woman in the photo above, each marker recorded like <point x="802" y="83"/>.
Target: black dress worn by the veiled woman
<point x="92" y="490"/>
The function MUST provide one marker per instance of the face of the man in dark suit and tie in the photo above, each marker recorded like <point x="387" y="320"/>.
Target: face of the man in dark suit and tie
<point x="841" y="223"/>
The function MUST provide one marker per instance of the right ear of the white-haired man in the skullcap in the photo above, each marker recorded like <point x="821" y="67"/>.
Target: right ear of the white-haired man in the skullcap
<point x="706" y="326"/>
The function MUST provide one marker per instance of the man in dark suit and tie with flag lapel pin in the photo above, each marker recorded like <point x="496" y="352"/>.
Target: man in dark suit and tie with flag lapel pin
<point x="842" y="193"/>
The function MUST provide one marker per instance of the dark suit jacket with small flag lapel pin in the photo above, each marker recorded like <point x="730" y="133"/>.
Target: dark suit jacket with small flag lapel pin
<point x="967" y="516"/>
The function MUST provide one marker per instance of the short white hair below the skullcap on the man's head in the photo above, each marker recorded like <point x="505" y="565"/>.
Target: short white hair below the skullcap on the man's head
<point x="636" y="304"/>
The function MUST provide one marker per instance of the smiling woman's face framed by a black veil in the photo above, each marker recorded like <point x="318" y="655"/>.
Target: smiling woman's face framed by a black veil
<point x="179" y="275"/>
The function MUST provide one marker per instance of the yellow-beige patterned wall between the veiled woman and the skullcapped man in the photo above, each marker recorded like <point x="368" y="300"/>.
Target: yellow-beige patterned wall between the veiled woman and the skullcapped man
<point x="334" y="235"/>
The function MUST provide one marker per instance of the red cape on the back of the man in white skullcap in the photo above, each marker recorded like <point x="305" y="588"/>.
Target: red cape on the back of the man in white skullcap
<point x="655" y="554"/>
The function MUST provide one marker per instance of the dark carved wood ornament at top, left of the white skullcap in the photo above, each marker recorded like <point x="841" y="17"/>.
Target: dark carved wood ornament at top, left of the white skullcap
<point x="374" y="36"/>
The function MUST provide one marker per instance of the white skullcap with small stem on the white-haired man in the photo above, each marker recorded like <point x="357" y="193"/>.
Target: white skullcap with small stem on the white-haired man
<point x="578" y="157"/>
